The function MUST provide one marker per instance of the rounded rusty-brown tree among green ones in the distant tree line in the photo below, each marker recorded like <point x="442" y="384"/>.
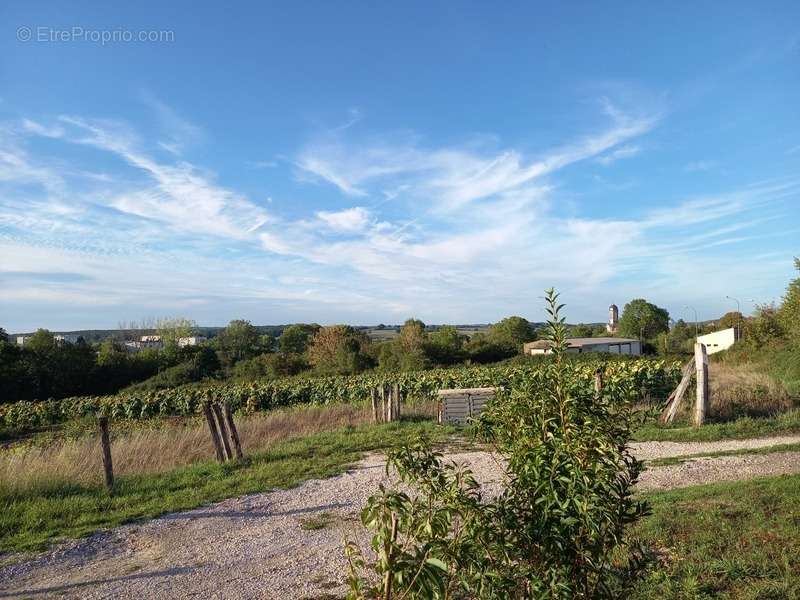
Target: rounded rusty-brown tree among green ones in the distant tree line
<point x="339" y="350"/>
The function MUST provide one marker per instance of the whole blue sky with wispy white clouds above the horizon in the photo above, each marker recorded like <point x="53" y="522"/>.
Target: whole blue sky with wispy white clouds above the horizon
<point x="367" y="162"/>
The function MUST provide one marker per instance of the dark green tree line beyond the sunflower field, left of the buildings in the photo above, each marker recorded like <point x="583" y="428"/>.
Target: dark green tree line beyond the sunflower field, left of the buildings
<point x="45" y="367"/>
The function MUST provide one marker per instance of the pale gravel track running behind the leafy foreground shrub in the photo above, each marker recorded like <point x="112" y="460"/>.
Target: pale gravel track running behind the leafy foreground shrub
<point x="255" y="547"/>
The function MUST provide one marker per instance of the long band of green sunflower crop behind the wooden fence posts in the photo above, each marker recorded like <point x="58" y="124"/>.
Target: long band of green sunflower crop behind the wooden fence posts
<point x="653" y="377"/>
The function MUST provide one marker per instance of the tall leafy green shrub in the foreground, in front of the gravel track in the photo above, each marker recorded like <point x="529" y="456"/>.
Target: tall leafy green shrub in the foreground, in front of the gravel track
<point x="557" y="530"/>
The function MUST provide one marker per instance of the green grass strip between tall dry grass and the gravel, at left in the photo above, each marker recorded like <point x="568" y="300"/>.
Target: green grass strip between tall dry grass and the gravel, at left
<point x="39" y="514"/>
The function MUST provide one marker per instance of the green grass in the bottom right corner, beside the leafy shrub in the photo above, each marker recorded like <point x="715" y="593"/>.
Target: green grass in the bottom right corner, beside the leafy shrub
<point x="731" y="540"/>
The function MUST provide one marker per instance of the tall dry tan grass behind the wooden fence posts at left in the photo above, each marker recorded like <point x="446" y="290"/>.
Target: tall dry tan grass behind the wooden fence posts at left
<point x="173" y="443"/>
